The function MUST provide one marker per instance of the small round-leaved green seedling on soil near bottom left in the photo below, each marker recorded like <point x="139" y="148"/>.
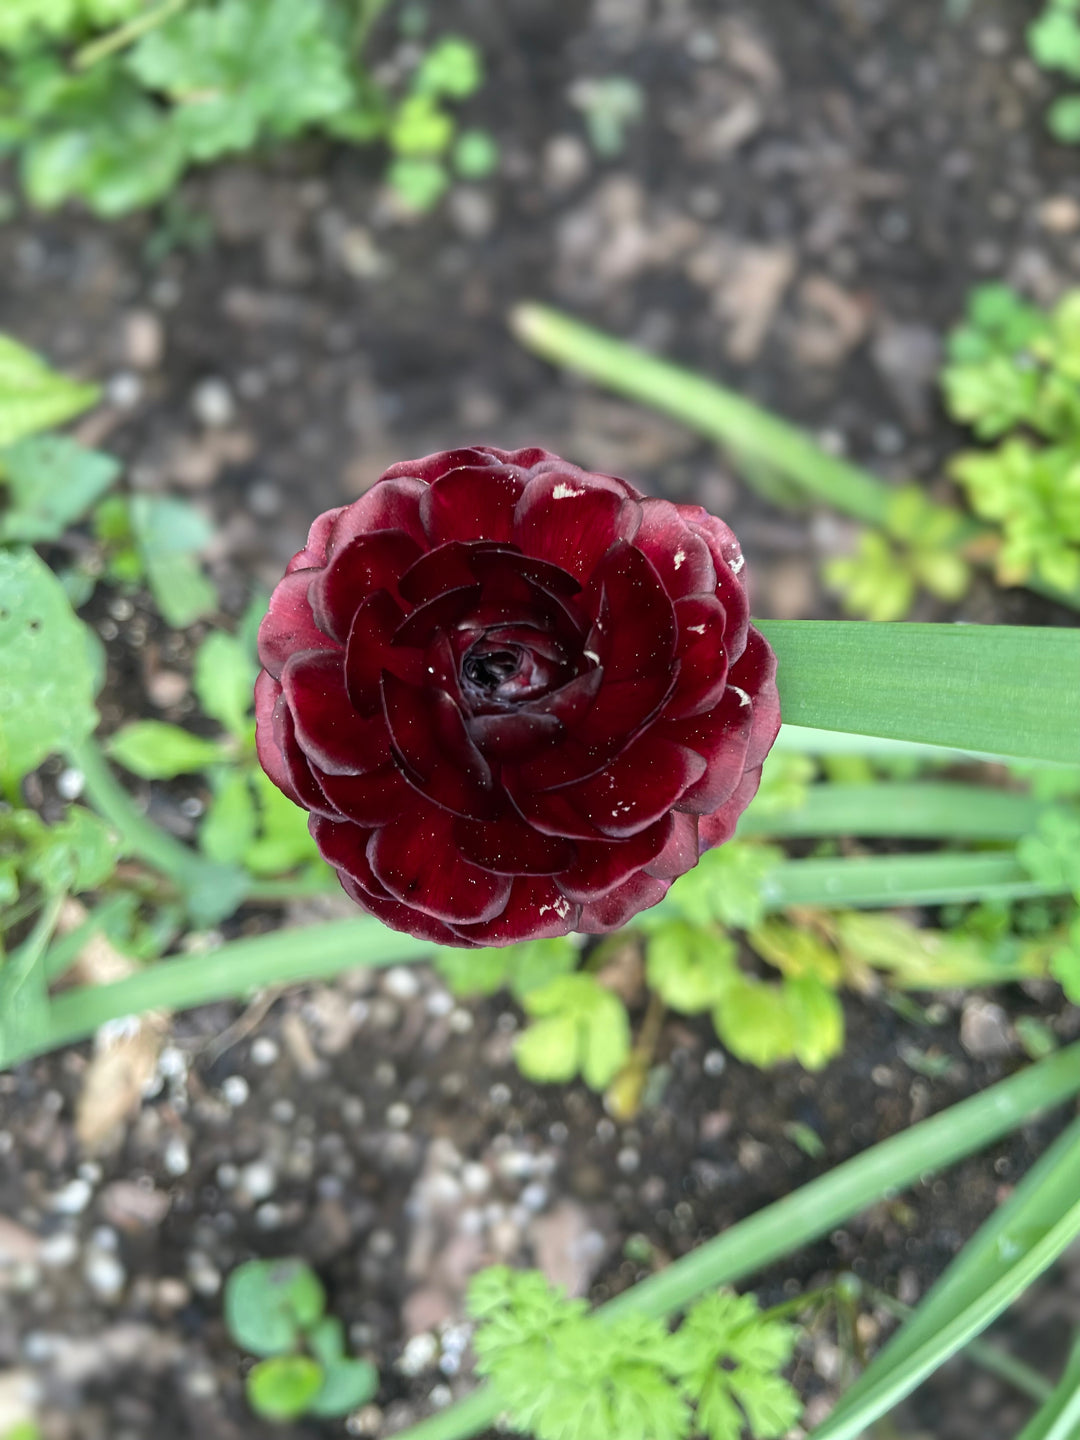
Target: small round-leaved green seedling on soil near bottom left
<point x="276" y="1310"/>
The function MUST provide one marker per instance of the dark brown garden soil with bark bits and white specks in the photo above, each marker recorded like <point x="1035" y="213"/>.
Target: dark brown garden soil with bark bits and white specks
<point x="816" y="189"/>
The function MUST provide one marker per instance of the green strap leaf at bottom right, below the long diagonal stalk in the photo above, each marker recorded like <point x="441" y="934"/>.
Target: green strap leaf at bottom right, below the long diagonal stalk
<point x="1012" y="1251"/>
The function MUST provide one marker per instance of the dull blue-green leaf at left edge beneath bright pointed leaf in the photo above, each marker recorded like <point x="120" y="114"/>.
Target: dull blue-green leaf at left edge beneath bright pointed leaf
<point x="51" y="482"/>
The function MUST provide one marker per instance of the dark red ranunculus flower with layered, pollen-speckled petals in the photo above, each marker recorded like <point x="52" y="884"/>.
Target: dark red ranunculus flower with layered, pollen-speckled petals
<point x="516" y="698"/>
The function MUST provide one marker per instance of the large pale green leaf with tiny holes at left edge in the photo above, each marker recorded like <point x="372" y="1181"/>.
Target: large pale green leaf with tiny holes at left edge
<point x="50" y="673"/>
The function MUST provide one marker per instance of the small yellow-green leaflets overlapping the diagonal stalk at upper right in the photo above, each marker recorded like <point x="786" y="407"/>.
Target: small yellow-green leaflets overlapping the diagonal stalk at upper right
<point x="918" y="549"/>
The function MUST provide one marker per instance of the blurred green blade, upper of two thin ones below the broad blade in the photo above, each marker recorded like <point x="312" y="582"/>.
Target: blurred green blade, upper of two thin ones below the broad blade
<point x="915" y="810"/>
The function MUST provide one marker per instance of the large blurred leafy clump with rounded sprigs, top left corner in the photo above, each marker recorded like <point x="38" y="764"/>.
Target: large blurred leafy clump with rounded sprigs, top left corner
<point x="207" y="78"/>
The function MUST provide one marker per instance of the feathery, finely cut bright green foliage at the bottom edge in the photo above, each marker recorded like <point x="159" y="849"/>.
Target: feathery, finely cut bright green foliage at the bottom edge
<point x="565" y="1376"/>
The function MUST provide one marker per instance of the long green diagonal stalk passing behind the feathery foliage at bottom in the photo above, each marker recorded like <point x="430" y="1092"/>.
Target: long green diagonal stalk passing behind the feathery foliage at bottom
<point x="813" y="1212"/>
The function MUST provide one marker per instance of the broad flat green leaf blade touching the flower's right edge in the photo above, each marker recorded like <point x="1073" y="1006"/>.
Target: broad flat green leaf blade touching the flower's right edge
<point x="997" y="689"/>
